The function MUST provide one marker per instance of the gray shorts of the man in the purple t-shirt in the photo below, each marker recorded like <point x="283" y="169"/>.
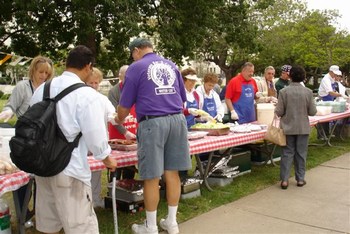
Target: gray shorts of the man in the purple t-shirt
<point x="162" y="145"/>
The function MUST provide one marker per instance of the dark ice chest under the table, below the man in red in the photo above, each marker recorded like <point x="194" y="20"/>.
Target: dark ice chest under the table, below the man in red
<point x="242" y="159"/>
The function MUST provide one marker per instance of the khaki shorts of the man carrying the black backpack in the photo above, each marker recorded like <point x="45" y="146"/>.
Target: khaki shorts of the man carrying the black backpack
<point x="64" y="202"/>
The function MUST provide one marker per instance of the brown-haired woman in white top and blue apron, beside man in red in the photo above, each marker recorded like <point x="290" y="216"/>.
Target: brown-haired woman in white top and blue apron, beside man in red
<point x="209" y="100"/>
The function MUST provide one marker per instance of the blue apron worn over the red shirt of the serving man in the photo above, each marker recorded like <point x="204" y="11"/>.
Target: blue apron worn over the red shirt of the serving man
<point x="244" y="107"/>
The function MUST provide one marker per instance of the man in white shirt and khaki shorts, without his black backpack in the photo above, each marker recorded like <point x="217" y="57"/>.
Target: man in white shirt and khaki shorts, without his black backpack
<point x="64" y="200"/>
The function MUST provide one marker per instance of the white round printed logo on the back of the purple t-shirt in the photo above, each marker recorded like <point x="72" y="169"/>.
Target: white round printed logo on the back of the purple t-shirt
<point x="163" y="75"/>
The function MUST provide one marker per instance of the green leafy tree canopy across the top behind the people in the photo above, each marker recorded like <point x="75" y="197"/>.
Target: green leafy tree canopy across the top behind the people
<point x="226" y="32"/>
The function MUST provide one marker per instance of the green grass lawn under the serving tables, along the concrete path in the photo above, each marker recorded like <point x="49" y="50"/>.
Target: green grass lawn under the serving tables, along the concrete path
<point x="259" y="178"/>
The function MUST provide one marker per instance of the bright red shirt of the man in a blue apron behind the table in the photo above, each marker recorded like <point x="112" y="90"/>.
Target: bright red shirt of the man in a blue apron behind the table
<point x="234" y="87"/>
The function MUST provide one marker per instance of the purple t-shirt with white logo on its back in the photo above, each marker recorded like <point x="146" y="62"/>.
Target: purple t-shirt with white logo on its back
<point x="154" y="85"/>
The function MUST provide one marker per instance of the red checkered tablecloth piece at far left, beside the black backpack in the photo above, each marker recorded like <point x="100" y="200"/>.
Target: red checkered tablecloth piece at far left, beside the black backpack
<point x="12" y="182"/>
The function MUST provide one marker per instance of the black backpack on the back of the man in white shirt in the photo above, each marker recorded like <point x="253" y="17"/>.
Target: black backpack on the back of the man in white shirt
<point x="39" y="146"/>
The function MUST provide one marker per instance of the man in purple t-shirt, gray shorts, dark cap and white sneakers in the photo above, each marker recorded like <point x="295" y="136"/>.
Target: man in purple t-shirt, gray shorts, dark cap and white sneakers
<point x="155" y="86"/>
